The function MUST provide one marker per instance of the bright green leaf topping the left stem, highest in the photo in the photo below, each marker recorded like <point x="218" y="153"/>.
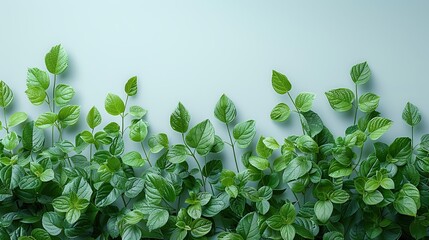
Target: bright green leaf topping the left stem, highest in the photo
<point x="56" y="60"/>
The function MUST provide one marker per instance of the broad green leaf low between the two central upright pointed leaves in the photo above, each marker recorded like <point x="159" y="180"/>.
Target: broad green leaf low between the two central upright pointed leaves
<point x="201" y="137"/>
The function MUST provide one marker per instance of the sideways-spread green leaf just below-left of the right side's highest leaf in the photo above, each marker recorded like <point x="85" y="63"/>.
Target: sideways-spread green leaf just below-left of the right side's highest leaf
<point x="340" y="99"/>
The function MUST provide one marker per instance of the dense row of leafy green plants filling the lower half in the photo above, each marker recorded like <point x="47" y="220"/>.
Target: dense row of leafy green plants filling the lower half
<point x="311" y="186"/>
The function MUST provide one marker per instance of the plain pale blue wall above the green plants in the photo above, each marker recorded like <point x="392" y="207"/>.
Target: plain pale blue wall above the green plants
<point x="193" y="51"/>
